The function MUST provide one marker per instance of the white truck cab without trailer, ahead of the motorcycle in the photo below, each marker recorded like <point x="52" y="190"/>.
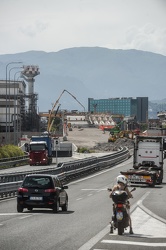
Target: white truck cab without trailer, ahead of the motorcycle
<point x="148" y="158"/>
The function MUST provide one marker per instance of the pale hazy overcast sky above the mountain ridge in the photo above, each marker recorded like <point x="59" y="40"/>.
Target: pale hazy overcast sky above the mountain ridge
<point x="53" y="25"/>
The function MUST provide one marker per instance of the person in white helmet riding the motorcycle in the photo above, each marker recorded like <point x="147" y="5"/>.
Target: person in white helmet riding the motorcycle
<point x="122" y="185"/>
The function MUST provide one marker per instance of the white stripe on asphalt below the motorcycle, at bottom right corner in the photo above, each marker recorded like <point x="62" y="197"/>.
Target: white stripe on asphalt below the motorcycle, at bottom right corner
<point x="134" y="243"/>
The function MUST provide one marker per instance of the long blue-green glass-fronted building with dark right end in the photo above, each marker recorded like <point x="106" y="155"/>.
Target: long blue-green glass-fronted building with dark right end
<point x="127" y="106"/>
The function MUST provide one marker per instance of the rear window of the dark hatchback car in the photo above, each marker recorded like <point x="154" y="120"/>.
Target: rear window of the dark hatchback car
<point x="38" y="182"/>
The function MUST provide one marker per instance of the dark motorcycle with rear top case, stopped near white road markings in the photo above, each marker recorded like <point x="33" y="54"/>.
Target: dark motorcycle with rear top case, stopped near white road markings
<point x="120" y="218"/>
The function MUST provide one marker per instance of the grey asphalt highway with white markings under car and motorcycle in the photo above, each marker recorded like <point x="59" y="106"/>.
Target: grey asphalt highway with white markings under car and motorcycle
<point x="85" y="225"/>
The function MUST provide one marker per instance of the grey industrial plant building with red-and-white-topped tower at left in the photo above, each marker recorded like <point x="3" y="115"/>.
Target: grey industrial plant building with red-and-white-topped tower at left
<point x="18" y="106"/>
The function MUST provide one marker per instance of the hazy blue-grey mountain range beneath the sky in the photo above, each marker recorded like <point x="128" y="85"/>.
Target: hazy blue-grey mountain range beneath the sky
<point x="93" y="72"/>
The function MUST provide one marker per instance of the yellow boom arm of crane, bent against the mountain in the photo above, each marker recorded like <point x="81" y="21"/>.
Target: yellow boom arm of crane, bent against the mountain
<point x="50" y="122"/>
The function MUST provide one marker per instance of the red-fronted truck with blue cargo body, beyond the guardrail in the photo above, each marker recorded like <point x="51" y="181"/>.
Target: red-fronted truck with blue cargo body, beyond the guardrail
<point x="40" y="150"/>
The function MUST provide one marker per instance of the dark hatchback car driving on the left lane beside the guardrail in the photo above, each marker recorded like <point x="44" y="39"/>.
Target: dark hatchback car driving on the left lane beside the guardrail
<point x="42" y="191"/>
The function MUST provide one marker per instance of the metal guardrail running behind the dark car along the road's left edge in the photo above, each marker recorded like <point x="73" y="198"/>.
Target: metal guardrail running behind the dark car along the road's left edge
<point x="68" y="171"/>
